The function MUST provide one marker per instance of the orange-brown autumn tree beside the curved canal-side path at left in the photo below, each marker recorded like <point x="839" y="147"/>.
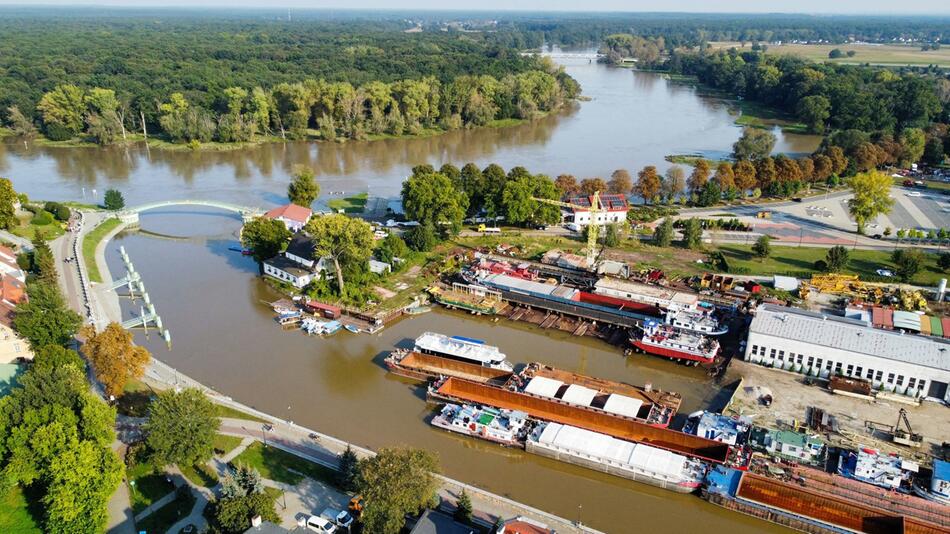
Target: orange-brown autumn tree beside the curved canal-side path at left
<point x="114" y="357"/>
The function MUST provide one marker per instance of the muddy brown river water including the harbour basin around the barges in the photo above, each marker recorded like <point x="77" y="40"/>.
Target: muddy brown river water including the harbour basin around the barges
<point x="223" y="336"/>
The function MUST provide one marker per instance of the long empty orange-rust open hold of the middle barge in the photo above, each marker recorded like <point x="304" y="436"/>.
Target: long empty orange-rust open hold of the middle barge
<point x="626" y="428"/>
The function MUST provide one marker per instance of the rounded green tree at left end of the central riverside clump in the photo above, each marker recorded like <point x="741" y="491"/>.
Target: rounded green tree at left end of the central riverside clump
<point x="431" y="198"/>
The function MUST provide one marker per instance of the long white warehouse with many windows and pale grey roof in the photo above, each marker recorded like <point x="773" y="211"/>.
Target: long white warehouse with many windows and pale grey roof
<point x="822" y="345"/>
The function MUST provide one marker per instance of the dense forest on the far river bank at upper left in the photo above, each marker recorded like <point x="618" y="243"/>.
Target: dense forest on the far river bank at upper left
<point x="199" y="79"/>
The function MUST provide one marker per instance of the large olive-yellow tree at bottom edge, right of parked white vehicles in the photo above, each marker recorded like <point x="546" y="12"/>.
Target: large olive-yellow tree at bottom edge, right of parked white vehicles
<point x="396" y="482"/>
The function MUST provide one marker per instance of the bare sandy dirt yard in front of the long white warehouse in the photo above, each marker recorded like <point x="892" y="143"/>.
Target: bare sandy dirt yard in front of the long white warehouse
<point x="791" y="399"/>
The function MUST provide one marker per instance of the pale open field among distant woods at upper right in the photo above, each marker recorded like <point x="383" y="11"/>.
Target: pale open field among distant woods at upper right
<point x="863" y="53"/>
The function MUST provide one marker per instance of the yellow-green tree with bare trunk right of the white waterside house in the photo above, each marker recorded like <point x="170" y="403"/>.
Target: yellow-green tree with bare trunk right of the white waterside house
<point x="347" y="240"/>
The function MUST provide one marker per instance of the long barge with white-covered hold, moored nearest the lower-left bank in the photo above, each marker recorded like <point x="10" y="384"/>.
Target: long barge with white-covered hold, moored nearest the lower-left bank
<point x="601" y="452"/>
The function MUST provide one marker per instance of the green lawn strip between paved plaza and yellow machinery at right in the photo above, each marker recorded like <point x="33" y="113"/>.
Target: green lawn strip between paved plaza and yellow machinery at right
<point x="797" y="261"/>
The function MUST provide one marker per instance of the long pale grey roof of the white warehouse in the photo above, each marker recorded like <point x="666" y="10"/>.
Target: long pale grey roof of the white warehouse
<point x="850" y="335"/>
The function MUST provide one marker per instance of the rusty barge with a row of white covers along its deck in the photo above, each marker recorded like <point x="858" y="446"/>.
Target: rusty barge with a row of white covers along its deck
<point x="653" y="407"/>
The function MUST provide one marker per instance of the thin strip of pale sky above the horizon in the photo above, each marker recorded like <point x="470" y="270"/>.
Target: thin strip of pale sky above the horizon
<point x="905" y="7"/>
